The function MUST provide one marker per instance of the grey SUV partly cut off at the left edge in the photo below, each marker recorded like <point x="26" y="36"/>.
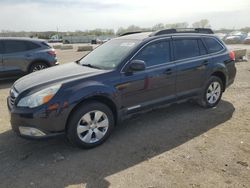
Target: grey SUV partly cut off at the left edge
<point x="20" y="56"/>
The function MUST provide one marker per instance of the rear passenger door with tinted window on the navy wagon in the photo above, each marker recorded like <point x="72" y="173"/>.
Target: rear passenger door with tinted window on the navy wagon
<point x="192" y="65"/>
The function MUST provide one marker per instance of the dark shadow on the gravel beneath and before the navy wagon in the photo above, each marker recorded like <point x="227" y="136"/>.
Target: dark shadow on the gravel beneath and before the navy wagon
<point x="54" y="163"/>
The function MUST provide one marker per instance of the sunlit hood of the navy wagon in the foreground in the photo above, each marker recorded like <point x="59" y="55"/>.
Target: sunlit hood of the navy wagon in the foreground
<point x="58" y="74"/>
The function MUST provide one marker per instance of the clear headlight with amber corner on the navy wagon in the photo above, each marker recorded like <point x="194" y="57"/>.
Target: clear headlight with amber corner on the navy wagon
<point x="39" y="98"/>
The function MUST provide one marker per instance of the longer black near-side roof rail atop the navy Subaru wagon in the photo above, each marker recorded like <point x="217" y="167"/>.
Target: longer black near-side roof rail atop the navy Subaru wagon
<point x="183" y="30"/>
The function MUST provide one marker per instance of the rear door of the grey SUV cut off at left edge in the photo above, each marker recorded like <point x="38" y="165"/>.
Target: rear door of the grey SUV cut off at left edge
<point x="15" y="56"/>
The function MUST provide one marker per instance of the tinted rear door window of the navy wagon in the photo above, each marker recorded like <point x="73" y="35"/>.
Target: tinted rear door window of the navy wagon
<point x="186" y="48"/>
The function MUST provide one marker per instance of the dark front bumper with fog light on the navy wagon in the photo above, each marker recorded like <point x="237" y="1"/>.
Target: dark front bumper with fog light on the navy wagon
<point x="33" y="121"/>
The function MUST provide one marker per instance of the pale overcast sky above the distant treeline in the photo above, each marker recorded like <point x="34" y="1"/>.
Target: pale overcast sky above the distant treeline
<point x="71" y="15"/>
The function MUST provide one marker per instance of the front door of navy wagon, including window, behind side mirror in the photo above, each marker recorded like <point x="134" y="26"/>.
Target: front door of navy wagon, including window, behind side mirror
<point x="156" y="83"/>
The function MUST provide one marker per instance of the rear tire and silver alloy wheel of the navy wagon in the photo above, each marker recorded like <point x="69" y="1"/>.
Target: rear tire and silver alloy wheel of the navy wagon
<point x="211" y="94"/>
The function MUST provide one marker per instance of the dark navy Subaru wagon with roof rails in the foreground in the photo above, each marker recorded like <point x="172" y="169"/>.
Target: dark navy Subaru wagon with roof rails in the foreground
<point x="135" y="72"/>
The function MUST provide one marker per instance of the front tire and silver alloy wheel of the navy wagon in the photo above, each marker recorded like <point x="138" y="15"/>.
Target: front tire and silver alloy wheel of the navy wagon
<point x="90" y="125"/>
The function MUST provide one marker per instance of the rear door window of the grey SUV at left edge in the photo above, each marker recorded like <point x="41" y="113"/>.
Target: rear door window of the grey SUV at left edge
<point x="12" y="46"/>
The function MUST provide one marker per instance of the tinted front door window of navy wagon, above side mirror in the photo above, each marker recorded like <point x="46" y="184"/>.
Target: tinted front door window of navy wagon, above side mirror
<point x="155" y="53"/>
